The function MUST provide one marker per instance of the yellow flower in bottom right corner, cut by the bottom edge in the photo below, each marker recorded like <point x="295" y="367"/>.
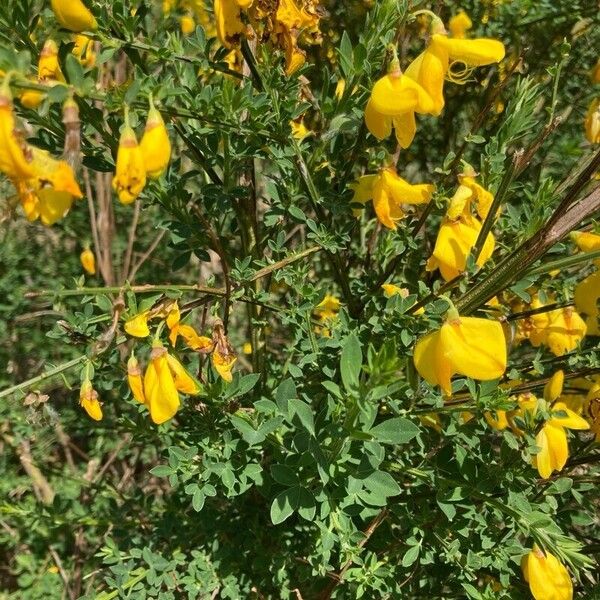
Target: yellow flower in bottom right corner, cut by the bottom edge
<point x="548" y="578"/>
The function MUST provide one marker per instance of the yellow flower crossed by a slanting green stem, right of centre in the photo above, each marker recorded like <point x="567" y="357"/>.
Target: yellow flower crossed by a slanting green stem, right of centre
<point x="454" y="243"/>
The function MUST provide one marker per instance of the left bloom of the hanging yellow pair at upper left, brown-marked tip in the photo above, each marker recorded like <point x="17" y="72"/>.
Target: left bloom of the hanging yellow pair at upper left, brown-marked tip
<point x="130" y="176"/>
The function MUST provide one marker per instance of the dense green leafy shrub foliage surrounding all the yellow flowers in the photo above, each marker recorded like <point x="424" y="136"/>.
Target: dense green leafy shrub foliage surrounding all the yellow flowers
<point x="320" y="471"/>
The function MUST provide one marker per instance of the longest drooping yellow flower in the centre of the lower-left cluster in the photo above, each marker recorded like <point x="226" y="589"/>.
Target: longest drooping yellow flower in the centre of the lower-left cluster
<point x="162" y="397"/>
